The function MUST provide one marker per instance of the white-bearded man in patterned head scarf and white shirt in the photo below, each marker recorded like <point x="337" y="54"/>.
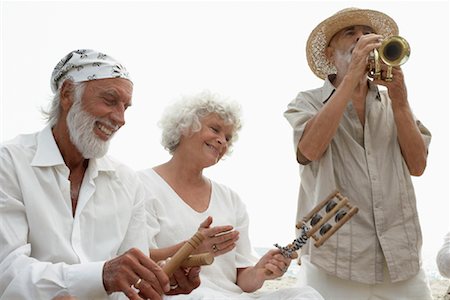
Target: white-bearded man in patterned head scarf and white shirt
<point x="72" y="219"/>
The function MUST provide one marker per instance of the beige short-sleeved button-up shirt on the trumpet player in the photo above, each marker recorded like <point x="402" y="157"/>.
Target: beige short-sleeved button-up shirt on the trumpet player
<point x="366" y="166"/>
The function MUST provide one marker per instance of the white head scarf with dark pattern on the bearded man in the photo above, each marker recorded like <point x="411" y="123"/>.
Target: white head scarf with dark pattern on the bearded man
<point x="85" y="65"/>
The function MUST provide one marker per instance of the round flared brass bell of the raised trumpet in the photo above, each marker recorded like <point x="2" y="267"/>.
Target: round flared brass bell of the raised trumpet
<point x="394" y="51"/>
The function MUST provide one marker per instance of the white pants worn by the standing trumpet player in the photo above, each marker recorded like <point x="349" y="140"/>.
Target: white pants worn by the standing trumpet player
<point x="334" y="288"/>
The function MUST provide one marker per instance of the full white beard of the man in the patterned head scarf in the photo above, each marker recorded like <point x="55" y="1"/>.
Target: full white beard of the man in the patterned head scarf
<point x="81" y="131"/>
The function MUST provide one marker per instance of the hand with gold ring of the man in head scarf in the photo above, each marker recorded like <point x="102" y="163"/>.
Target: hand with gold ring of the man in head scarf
<point x="136" y="275"/>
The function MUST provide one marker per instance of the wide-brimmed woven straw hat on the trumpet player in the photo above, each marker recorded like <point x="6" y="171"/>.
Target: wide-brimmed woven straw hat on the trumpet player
<point x="321" y="35"/>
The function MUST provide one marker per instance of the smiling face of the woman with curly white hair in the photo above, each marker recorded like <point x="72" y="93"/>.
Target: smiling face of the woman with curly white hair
<point x="208" y="145"/>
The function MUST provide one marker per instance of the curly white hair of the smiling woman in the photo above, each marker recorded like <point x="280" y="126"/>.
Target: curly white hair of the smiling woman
<point x="185" y="115"/>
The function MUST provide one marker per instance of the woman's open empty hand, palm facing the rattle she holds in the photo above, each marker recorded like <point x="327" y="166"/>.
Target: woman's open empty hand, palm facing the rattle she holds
<point x="218" y="239"/>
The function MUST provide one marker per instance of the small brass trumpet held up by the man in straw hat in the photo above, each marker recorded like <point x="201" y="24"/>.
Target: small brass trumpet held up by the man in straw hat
<point x="394" y="51"/>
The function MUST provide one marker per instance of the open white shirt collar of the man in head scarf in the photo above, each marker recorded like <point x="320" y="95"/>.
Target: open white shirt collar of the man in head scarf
<point x="48" y="155"/>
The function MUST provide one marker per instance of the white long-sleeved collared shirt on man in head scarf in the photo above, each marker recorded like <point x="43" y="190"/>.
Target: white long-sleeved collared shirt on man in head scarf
<point x="44" y="250"/>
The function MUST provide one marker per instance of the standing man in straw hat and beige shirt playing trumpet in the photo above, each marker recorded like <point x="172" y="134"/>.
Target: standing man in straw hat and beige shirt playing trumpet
<point x="364" y="141"/>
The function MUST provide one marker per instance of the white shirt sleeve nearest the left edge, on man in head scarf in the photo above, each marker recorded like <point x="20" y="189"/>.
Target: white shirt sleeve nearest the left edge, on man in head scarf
<point x="23" y="277"/>
